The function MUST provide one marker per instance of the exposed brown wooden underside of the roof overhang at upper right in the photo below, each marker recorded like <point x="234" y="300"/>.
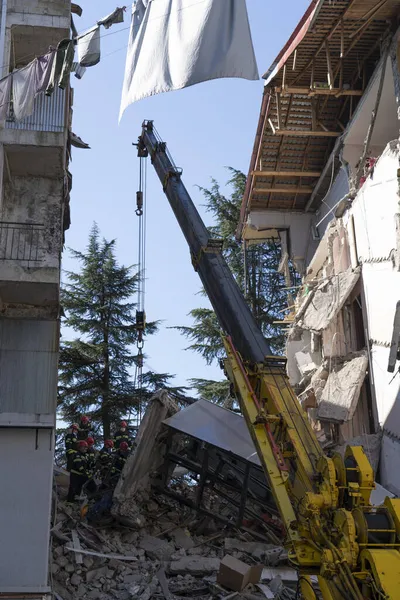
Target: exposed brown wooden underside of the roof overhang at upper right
<point x="311" y="92"/>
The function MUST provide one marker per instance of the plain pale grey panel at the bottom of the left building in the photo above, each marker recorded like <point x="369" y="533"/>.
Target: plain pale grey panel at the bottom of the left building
<point x="25" y="502"/>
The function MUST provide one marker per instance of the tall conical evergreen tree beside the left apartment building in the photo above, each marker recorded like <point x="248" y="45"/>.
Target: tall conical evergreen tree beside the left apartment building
<point x="96" y="367"/>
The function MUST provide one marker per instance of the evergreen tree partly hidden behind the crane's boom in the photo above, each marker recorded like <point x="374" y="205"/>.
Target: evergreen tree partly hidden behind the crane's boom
<point x="256" y="274"/>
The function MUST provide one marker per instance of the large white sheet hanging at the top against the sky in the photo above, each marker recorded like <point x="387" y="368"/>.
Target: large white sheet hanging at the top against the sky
<point x="173" y="45"/>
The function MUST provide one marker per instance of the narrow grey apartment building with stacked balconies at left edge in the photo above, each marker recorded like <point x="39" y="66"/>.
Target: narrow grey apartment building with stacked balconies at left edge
<point x="34" y="196"/>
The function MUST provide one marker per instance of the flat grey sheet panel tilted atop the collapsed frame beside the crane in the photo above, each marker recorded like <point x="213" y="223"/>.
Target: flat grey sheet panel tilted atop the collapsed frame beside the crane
<point x="217" y="426"/>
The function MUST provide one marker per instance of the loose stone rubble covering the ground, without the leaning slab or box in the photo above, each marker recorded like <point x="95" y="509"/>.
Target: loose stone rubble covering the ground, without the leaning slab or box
<point x="164" y="535"/>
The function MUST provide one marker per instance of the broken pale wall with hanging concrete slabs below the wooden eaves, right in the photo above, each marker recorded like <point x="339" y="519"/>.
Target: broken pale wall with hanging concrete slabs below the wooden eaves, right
<point x="352" y="308"/>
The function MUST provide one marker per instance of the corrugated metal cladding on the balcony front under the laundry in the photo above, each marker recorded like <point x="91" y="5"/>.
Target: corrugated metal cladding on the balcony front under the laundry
<point x="48" y="114"/>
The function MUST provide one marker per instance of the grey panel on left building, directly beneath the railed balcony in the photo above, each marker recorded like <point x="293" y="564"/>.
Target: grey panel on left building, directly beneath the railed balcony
<point x="28" y="366"/>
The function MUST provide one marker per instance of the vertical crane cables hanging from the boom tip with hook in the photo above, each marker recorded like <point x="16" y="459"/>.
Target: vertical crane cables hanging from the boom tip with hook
<point x="141" y="289"/>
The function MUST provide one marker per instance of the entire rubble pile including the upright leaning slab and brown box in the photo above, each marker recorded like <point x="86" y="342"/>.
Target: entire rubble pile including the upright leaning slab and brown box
<point x="154" y="546"/>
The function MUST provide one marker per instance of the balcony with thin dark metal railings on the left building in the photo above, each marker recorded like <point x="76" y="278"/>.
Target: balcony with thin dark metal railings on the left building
<point x="29" y="264"/>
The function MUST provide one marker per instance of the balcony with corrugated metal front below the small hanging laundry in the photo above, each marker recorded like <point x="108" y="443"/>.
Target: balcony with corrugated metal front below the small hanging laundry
<point x="35" y="146"/>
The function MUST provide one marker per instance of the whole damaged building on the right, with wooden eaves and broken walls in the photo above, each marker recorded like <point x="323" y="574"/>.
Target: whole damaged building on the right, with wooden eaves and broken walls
<point x="324" y="182"/>
